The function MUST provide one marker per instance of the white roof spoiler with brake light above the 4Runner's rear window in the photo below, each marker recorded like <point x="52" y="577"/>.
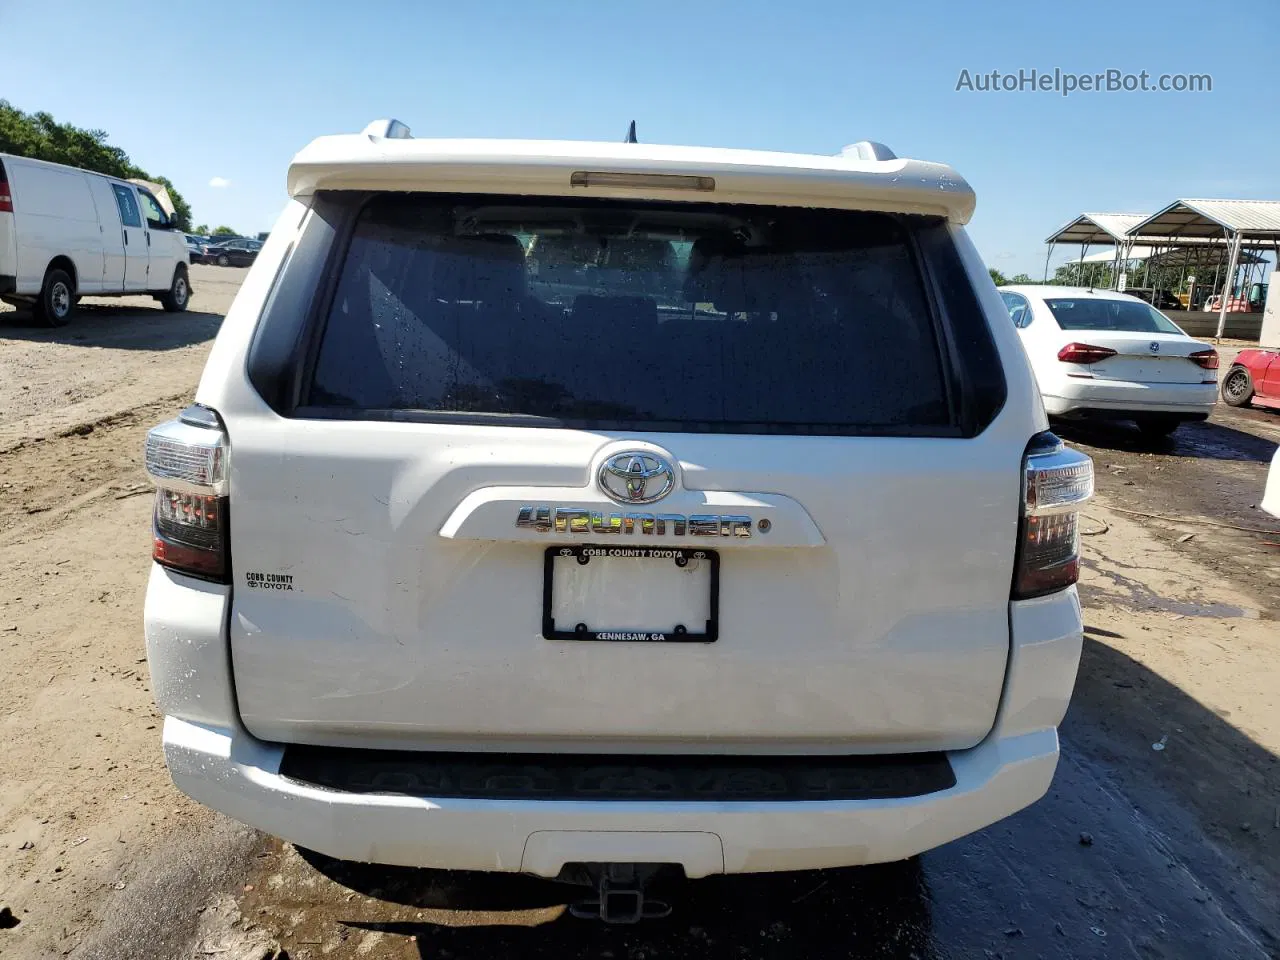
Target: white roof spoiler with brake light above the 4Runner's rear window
<point x="865" y="177"/>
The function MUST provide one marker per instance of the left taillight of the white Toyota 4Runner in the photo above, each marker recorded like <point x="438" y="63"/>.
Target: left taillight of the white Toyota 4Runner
<point x="188" y="460"/>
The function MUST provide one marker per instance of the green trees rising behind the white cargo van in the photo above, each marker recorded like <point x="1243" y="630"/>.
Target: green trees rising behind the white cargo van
<point x="42" y="138"/>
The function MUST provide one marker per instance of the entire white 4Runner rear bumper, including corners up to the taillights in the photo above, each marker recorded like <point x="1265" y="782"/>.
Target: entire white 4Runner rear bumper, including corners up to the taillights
<point x="217" y="762"/>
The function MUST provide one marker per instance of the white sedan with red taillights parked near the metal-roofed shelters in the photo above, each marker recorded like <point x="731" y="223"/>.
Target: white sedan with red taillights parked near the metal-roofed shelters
<point x="1100" y="354"/>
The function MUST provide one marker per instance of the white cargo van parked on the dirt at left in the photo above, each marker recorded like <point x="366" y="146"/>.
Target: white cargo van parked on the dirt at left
<point x="66" y="234"/>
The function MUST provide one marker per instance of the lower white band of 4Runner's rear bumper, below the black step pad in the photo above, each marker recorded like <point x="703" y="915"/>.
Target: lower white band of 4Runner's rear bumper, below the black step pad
<point x="235" y="774"/>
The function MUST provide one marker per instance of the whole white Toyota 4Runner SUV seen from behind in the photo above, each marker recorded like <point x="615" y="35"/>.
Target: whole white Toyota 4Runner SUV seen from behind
<point x="579" y="509"/>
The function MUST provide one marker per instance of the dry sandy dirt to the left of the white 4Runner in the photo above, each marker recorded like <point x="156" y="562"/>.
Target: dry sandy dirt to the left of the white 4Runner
<point x="84" y="796"/>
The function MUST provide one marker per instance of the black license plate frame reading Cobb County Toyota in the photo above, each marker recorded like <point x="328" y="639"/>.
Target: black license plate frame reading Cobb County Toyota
<point x="586" y="554"/>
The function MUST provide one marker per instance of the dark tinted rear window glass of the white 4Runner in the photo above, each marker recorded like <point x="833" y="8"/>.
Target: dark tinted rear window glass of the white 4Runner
<point x="614" y="316"/>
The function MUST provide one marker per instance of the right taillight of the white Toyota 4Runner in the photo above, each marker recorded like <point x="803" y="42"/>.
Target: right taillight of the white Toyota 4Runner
<point x="1057" y="482"/>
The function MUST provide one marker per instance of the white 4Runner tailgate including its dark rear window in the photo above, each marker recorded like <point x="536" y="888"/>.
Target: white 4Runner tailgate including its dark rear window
<point x="821" y="381"/>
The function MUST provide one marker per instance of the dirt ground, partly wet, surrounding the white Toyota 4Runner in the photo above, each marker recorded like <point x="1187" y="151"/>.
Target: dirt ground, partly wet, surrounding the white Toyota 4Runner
<point x="1171" y="752"/>
